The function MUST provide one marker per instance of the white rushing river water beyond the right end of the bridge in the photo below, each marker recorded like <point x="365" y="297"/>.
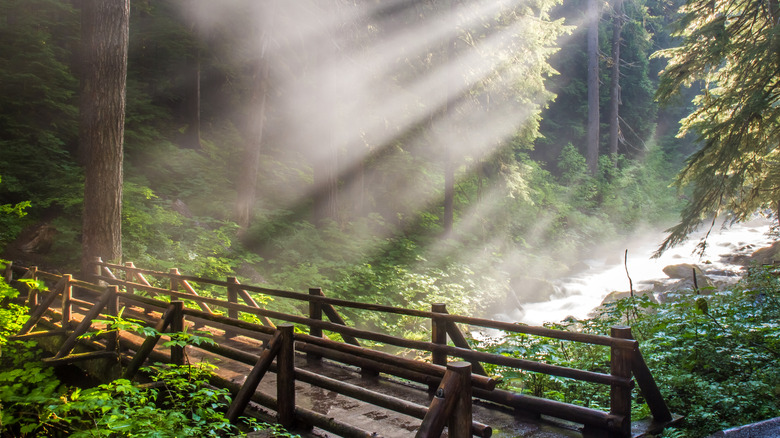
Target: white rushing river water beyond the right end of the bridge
<point x="630" y="263"/>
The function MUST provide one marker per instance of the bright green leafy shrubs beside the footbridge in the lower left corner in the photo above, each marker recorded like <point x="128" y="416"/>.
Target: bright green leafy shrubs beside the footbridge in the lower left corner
<point x="33" y="402"/>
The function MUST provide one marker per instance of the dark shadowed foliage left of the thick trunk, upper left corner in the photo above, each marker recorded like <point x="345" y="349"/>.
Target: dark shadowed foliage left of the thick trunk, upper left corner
<point x="38" y="112"/>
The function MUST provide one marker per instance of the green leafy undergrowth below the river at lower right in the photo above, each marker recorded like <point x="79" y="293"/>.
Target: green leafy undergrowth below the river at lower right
<point x="714" y="357"/>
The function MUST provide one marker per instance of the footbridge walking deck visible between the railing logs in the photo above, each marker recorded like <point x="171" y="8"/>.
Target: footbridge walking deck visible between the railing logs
<point x="371" y="418"/>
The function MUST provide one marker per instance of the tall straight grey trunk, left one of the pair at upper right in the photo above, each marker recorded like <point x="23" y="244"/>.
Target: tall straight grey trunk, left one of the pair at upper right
<point x="592" y="156"/>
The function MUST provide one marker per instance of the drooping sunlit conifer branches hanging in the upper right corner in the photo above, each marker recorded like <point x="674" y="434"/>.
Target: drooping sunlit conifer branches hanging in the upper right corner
<point x="730" y="48"/>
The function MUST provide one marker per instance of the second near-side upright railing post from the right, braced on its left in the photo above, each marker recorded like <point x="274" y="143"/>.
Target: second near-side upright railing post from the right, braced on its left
<point x="285" y="377"/>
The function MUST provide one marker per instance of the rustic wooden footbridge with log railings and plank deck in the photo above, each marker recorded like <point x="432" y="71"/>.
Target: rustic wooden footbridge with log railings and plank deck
<point x="346" y="387"/>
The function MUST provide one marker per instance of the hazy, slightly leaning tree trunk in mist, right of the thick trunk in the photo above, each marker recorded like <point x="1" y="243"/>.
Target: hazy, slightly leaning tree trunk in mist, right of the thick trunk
<point x="246" y="189"/>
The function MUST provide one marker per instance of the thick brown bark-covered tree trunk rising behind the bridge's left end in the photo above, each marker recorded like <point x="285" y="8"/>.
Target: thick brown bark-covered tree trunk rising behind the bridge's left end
<point x="105" y="34"/>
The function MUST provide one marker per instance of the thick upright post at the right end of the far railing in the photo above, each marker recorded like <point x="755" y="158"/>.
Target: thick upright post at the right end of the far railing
<point x="620" y="396"/>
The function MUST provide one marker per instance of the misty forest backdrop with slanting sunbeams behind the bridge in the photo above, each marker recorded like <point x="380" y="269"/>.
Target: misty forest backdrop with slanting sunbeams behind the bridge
<point x="336" y="143"/>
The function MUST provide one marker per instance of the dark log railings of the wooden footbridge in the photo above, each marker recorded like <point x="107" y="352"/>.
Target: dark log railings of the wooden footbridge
<point x="626" y="366"/>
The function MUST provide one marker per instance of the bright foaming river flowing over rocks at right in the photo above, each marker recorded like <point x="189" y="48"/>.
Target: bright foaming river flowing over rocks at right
<point x="579" y="294"/>
